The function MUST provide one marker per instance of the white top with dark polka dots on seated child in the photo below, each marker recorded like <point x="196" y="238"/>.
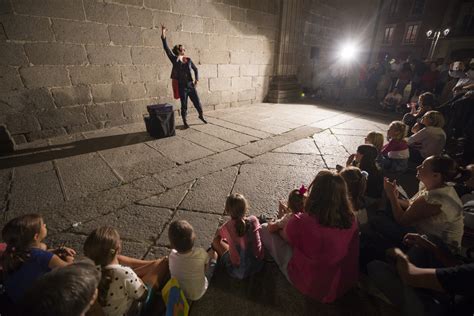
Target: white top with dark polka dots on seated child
<point x="125" y="288"/>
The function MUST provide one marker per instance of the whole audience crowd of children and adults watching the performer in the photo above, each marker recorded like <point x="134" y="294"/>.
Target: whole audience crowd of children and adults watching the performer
<point x="350" y="221"/>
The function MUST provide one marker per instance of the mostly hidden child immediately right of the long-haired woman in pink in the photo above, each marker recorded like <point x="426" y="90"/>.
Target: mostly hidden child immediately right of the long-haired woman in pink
<point x="356" y="181"/>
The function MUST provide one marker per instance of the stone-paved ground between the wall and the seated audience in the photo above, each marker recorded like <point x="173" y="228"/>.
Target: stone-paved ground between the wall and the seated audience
<point x="123" y="178"/>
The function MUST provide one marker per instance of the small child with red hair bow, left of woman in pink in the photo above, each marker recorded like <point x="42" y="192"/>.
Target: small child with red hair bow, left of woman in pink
<point x="295" y="205"/>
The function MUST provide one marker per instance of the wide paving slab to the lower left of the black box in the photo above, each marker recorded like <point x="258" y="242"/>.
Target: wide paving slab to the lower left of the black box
<point x="134" y="161"/>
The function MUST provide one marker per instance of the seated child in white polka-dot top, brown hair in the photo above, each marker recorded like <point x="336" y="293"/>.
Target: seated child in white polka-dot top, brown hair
<point x="121" y="287"/>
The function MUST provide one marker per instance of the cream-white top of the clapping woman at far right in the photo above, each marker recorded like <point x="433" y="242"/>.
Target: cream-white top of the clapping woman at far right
<point x="449" y="224"/>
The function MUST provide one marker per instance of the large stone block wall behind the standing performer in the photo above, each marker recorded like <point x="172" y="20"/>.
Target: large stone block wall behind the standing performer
<point x="73" y="65"/>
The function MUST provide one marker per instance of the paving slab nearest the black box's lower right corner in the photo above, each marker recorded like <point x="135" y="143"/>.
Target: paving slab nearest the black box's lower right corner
<point x="179" y="149"/>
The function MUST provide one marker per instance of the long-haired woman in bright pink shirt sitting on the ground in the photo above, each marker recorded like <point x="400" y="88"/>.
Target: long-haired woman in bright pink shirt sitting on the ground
<point x="322" y="253"/>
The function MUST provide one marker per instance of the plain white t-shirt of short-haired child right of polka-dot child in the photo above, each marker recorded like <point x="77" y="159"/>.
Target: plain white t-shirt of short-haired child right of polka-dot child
<point x="188" y="269"/>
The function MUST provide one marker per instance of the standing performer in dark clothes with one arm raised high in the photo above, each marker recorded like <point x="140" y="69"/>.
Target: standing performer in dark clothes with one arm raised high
<point x="183" y="85"/>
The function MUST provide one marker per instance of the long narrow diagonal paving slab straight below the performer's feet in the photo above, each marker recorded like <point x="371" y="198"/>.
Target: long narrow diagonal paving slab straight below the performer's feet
<point x="199" y="168"/>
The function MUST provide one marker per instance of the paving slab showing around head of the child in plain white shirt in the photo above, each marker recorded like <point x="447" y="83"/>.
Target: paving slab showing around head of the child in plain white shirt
<point x="205" y="226"/>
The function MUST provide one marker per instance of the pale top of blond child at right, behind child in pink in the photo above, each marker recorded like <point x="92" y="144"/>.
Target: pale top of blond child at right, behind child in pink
<point x="430" y="140"/>
